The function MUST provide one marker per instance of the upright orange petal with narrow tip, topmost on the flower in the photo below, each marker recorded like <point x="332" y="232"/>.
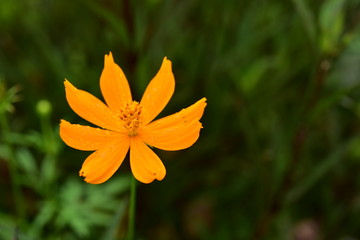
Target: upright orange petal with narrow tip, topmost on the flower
<point x="114" y="85"/>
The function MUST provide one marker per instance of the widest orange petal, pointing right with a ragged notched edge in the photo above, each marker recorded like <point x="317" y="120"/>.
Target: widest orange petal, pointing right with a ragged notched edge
<point x="177" y="131"/>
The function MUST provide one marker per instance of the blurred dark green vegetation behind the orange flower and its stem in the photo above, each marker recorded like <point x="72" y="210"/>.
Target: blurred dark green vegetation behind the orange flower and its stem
<point x="279" y="154"/>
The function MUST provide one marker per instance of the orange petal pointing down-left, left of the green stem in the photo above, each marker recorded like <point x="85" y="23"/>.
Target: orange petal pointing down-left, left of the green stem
<point x="103" y="163"/>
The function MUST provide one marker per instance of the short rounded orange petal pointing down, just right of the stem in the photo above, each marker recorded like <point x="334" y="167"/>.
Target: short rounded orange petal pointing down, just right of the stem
<point x="145" y="164"/>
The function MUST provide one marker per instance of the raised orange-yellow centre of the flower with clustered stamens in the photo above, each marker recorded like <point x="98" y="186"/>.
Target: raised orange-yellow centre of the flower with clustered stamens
<point x="130" y="115"/>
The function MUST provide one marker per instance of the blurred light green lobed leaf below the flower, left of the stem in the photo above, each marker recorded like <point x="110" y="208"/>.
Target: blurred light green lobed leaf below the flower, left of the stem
<point x="83" y="206"/>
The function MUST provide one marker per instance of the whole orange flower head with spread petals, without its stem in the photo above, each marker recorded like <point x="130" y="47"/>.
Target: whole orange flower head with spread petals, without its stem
<point x="127" y="124"/>
